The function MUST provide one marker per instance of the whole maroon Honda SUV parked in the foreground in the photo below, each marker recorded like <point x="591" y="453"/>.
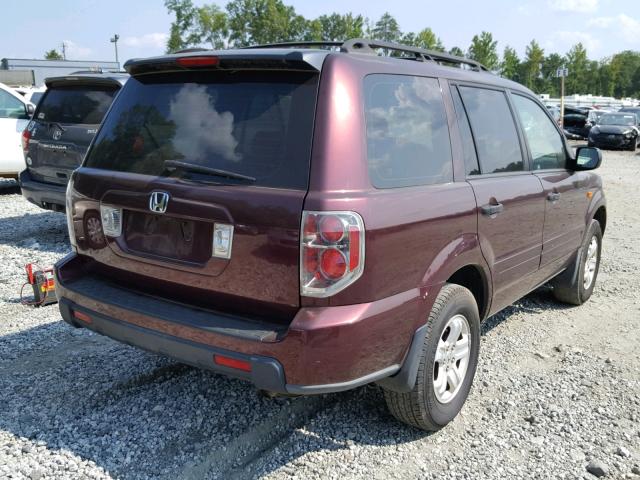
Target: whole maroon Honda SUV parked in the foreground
<point x="314" y="219"/>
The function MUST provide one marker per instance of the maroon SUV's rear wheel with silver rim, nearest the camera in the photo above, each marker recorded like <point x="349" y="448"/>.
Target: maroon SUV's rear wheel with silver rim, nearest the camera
<point x="423" y="407"/>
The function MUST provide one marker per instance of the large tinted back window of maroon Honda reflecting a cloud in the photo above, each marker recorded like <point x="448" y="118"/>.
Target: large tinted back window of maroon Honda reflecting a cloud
<point x="252" y="124"/>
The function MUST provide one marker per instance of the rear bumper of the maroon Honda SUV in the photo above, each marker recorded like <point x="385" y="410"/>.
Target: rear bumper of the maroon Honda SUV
<point x="324" y="349"/>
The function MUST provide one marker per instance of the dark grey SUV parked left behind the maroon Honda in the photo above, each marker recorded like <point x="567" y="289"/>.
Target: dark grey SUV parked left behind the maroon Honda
<point x="55" y="141"/>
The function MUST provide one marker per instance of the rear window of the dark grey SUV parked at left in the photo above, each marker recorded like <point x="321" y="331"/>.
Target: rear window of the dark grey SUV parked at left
<point x="71" y="105"/>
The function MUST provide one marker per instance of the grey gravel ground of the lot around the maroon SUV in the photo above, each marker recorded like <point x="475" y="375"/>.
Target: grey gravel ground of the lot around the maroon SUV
<point x="557" y="393"/>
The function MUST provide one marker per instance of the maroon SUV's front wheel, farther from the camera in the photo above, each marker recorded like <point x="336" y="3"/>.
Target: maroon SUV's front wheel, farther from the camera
<point x="573" y="286"/>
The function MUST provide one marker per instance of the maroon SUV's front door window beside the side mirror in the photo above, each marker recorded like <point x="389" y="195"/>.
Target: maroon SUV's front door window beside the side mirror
<point x="545" y="144"/>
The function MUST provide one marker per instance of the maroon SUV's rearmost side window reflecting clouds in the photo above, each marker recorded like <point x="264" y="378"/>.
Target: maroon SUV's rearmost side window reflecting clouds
<point x="407" y="134"/>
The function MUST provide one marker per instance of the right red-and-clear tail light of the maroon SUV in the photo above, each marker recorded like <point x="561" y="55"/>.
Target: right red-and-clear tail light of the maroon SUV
<point x="331" y="252"/>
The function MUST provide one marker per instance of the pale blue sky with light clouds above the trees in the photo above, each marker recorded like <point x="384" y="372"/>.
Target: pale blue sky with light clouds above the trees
<point x="603" y="26"/>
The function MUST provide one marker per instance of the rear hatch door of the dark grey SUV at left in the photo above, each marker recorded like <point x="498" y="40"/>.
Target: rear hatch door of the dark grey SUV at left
<point x="63" y="126"/>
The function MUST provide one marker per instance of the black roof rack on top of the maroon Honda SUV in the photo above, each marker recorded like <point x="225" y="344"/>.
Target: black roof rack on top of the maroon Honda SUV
<point x="361" y="45"/>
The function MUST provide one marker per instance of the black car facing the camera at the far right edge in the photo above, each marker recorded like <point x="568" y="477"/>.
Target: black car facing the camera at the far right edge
<point x="616" y="130"/>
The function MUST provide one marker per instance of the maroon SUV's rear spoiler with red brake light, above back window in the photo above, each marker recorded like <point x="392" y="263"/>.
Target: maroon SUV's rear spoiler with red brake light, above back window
<point x="276" y="59"/>
